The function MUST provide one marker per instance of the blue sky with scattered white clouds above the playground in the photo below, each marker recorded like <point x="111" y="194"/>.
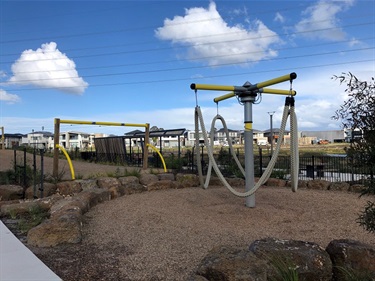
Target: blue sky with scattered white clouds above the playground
<point x="134" y="61"/>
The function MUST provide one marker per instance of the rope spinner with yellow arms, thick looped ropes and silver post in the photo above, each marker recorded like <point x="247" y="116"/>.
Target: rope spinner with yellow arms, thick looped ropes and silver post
<point x="248" y="94"/>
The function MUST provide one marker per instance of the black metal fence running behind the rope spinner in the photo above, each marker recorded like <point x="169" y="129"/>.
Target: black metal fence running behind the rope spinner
<point x="338" y="168"/>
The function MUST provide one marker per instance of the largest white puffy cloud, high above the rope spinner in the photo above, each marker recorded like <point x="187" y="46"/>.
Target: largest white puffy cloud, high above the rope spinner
<point x="209" y="37"/>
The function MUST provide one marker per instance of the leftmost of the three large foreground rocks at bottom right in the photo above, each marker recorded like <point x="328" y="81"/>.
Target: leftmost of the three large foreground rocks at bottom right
<point x="230" y="264"/>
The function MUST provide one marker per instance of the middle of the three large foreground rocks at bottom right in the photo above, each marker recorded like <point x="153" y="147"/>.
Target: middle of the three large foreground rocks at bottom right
<point x="310" y="261"/>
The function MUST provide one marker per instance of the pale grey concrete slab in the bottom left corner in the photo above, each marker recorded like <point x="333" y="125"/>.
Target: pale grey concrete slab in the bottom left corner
<point x="18" y="263"/>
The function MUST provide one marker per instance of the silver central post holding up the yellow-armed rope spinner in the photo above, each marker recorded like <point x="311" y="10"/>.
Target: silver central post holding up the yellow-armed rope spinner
<point x="249" y="153"/>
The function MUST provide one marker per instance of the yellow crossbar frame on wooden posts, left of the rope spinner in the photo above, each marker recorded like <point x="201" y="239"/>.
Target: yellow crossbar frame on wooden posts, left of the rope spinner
<point x="57" y="138"/>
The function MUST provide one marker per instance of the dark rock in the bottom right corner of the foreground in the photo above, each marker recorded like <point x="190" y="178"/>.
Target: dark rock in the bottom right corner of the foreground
<point x="349" y="256"/>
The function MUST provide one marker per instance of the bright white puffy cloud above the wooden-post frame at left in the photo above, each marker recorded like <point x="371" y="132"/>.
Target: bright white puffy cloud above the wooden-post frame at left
<point x="47" y="67"/>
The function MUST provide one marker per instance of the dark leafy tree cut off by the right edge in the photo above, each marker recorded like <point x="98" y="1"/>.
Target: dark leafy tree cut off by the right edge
<point x="358" y="115"/>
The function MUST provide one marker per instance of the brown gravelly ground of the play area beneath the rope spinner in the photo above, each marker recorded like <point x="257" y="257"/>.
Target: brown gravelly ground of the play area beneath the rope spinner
<point x="163" y="235"/>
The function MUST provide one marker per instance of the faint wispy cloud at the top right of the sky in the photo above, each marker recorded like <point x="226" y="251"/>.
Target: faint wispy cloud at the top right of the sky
<point x="322" y="17"/>
